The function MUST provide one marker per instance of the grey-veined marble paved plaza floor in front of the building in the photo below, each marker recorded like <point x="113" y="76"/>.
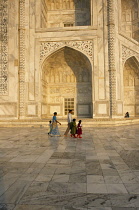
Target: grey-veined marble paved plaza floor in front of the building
<point x="98" y="172"/>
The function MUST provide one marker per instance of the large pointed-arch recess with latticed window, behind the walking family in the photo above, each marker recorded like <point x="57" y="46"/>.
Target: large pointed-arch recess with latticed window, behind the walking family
<point x="67" y="83"/>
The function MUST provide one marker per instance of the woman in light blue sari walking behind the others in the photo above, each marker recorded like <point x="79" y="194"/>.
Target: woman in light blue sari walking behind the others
<point x="54" y="131"/>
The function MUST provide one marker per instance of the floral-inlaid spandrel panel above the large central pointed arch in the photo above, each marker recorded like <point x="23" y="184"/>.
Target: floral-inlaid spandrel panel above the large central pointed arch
<point x="85" y="47"/>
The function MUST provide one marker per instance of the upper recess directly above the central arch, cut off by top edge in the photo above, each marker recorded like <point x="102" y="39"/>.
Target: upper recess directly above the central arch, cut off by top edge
<point x="65" y="13"/>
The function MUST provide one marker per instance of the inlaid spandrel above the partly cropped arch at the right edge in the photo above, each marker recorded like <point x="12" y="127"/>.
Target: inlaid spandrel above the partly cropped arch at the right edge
<point x="127" y="53"/>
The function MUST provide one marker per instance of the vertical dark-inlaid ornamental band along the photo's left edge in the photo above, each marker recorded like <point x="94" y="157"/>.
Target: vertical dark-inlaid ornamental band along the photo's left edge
<point x="4" y="47"/>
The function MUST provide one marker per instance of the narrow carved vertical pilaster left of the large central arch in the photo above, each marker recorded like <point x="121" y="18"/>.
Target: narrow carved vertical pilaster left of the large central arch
<point x="22" y="58"/>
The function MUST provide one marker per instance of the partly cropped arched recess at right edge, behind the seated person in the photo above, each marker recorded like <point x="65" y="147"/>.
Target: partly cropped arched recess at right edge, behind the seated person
<point x="131" y="86"/>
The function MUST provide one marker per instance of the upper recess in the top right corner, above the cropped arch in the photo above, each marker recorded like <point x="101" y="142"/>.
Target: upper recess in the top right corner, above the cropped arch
<point x="130" y="18"/>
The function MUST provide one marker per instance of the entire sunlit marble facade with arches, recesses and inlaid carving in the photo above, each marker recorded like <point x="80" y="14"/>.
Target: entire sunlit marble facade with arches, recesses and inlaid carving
<point x="61" y="54"/>
